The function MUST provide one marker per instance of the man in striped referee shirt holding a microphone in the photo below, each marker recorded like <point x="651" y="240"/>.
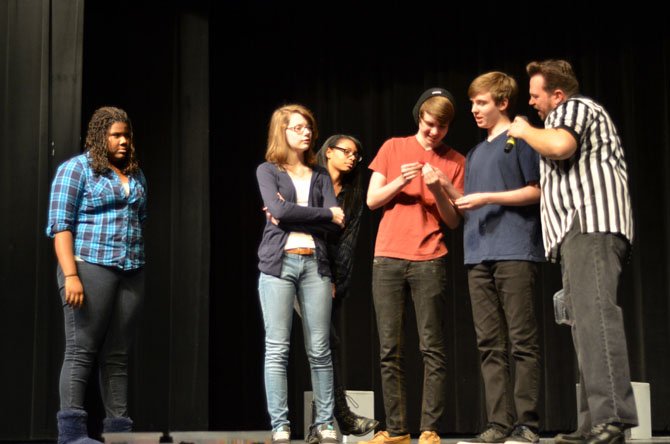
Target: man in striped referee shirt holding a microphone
<point x="587" y="224"/>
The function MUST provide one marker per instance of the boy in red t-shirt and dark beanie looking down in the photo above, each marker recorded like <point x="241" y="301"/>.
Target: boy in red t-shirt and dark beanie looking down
<point x="414" y="179"/>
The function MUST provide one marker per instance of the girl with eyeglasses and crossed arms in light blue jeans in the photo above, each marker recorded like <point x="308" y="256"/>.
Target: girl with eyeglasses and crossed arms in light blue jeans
<point x="301" y="207"/>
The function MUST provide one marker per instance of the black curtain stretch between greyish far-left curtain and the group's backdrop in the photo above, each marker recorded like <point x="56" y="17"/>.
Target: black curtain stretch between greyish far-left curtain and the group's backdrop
<point x="152" y="60"/>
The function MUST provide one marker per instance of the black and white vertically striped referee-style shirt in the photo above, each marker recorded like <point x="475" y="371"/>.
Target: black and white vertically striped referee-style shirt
<point x="592" y="184"/>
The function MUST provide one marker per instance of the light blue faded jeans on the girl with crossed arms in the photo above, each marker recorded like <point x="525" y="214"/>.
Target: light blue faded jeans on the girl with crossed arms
<point x="299" y="277"/>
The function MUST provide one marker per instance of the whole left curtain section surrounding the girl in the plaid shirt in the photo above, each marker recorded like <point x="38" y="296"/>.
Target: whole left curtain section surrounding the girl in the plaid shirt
<point x="61" y="61"/>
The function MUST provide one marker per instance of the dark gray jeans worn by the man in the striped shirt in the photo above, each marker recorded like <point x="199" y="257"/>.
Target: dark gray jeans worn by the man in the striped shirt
<point x="591" y="264"/>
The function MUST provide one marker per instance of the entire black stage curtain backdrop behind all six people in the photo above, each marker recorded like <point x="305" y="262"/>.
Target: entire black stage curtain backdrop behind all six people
<point x="200" y="81"/>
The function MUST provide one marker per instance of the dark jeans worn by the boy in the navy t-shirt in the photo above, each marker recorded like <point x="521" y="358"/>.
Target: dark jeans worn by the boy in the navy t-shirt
<point x="503" y="312"/>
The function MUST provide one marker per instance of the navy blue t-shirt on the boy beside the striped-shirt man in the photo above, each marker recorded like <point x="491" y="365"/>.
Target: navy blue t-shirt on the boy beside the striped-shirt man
<point x="497" y="232"/>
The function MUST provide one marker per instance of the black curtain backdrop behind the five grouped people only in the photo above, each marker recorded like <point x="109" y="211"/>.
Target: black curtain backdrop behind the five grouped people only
<point x="360" y="70"/>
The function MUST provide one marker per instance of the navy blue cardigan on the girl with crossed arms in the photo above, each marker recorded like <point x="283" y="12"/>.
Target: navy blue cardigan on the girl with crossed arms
<point x="315" y="218"/>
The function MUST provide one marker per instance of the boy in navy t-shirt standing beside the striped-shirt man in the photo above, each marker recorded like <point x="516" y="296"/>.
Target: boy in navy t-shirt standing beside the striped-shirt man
<point x="503" y="244"/>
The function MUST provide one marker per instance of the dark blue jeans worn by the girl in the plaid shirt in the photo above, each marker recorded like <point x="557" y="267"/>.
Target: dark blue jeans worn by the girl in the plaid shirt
<point x="102" y="328"/>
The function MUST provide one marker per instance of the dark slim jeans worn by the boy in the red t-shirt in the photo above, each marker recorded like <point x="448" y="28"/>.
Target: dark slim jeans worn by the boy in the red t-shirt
<point x="426" y="282"/>
